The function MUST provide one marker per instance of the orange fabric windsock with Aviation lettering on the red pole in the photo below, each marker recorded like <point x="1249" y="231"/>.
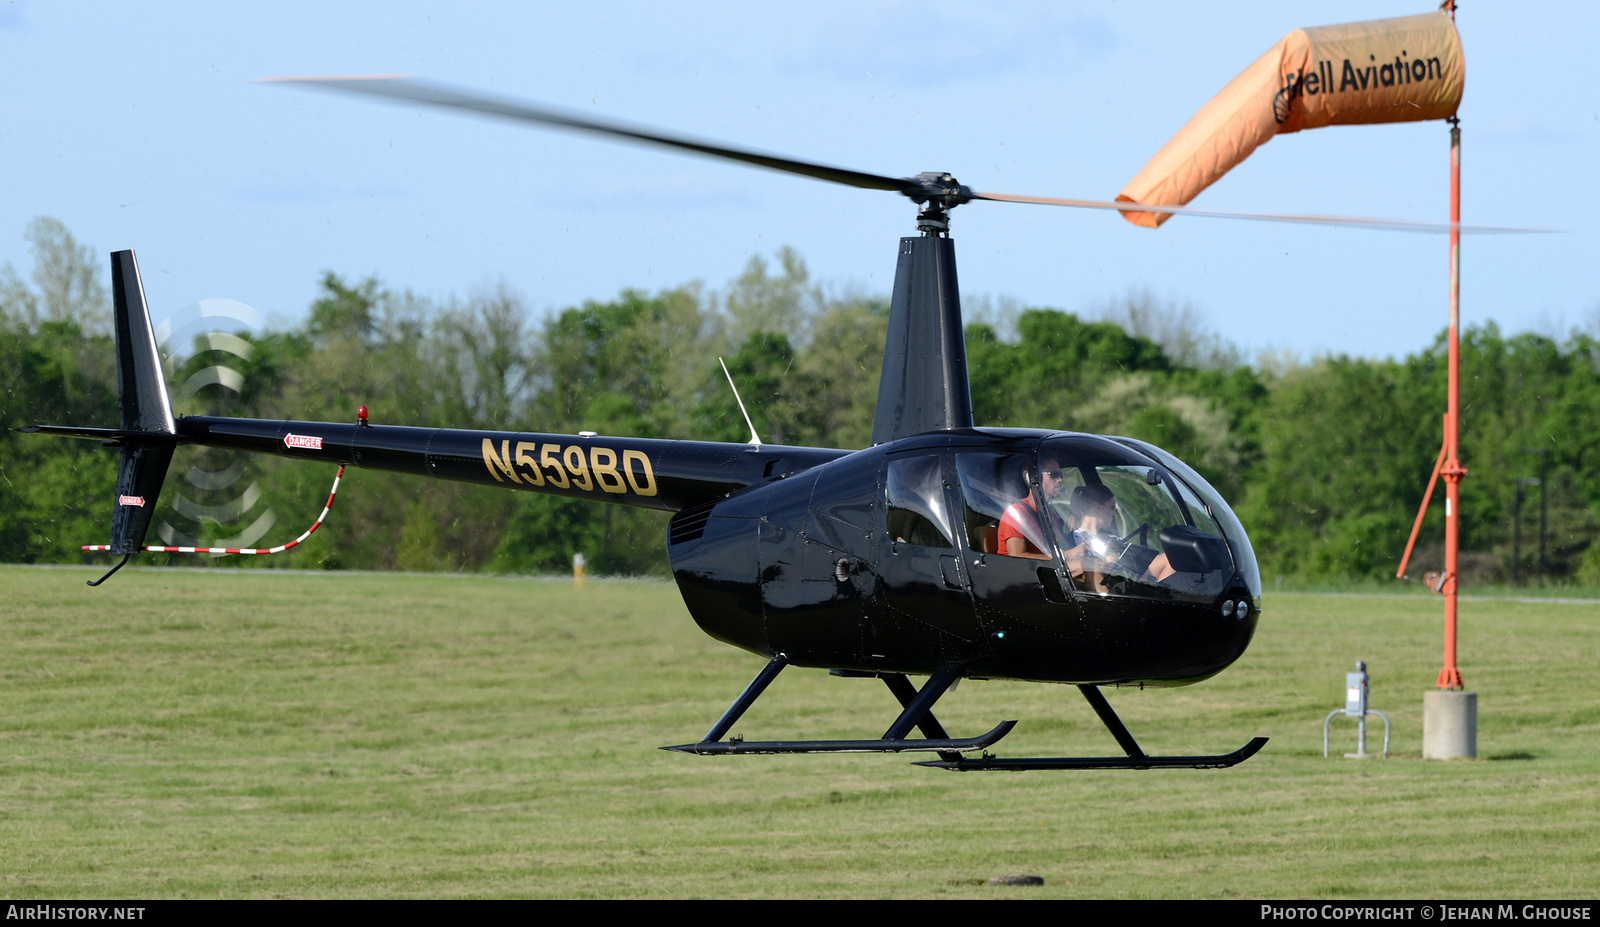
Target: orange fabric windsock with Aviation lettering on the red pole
<point x="1406" y="70"/>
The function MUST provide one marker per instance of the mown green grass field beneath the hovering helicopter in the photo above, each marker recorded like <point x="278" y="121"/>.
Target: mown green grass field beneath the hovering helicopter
<point x="262" y="734"/>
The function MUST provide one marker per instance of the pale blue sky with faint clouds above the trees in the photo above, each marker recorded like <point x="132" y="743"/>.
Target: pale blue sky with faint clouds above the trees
<point x="142" y="127"/>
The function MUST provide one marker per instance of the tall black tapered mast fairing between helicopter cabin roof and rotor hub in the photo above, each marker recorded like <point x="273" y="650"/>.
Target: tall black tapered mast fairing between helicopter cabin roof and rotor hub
<point x="924" y="383"/>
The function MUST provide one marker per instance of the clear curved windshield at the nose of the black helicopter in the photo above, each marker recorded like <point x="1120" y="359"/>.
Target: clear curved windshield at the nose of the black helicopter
<point x="1130" y="528"/>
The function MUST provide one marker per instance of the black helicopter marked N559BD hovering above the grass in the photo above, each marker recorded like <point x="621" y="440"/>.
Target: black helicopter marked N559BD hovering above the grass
<point x="945" y="550"/>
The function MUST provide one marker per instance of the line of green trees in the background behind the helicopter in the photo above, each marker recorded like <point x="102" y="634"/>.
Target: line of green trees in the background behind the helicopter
<point x="1326" y="462"/>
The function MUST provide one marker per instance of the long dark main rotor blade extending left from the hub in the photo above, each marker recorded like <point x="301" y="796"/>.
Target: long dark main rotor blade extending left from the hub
<point x="412" y="90"/>
